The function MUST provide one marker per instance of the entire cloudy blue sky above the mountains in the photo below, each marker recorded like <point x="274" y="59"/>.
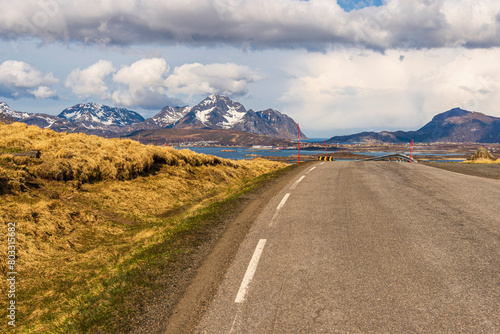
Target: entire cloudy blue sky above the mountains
<point x="335" y="67"/>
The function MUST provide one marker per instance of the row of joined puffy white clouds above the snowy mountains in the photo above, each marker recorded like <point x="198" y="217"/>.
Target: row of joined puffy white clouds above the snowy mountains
<point x="148" y="83"/>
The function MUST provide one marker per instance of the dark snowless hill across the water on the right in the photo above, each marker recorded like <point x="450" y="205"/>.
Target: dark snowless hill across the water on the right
<point x="455" y="125"/>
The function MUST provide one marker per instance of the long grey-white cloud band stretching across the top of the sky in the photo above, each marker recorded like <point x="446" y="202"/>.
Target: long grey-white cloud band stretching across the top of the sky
<point x="260" y="23"/>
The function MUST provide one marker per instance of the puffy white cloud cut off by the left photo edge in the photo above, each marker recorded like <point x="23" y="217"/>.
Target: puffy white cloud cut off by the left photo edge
<point x="19" y="79"/>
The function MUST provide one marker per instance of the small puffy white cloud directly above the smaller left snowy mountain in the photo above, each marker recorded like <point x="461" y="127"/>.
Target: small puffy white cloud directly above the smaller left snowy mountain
<point x="91" y="80"/>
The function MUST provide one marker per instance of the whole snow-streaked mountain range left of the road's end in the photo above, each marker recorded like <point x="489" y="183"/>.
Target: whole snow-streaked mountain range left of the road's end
<point x="215" y="112"/>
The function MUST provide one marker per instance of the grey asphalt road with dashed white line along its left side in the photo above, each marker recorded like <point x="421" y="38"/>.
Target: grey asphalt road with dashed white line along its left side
<point x="368" y="247"/>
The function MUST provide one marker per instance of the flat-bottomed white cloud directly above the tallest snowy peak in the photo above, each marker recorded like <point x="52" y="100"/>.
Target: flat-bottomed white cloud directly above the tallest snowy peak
<point x="226" y="79"/>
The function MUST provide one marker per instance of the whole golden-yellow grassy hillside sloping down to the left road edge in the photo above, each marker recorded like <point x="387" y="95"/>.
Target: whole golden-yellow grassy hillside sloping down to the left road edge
<point x="97" y="219"/>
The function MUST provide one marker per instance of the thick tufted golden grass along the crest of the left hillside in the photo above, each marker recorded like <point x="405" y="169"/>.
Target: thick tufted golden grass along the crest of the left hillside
<point x="91" y="158"/>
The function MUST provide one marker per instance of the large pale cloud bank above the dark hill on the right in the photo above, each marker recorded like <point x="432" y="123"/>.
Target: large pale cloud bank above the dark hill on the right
<point x="341" y="91"/>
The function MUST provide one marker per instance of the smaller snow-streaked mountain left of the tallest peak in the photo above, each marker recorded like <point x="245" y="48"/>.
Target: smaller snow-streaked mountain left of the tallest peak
<point x="88" y="113"/>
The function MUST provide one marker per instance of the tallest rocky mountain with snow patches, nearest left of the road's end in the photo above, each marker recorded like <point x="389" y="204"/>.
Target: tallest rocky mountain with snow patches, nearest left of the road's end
<point x="220" y="112"/>
